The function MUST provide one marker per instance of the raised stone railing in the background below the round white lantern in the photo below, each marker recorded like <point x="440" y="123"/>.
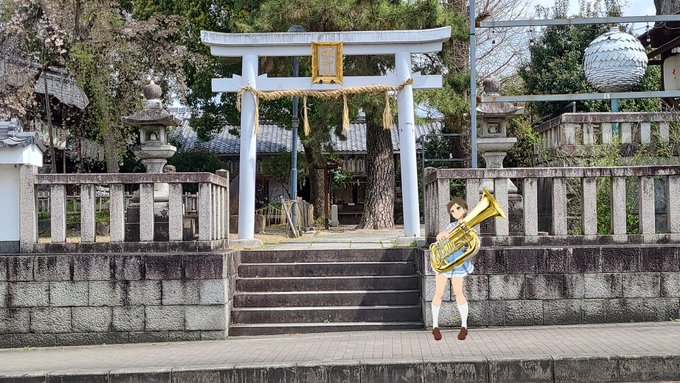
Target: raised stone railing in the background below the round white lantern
<point x="574" y="133"/>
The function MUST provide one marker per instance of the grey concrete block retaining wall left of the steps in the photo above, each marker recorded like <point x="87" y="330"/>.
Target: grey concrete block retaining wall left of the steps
<point x="74" y="299"/>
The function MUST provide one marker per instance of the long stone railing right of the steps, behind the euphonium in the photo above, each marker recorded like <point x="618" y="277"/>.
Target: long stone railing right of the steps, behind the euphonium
<point x="554" y="185"/>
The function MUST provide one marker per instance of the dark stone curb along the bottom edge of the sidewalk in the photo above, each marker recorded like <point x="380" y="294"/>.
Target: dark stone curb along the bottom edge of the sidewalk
<point x="484" y="369"/>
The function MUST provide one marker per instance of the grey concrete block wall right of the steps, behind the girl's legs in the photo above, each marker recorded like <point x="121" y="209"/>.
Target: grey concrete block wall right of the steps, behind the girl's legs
<point x="552" y="286"/>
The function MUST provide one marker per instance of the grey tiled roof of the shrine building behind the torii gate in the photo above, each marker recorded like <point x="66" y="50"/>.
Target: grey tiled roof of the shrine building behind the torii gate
<point x="273" y="138"/>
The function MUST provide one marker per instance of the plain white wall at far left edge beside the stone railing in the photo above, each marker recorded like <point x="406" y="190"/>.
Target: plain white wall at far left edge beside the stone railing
<point x="9" y="202"/>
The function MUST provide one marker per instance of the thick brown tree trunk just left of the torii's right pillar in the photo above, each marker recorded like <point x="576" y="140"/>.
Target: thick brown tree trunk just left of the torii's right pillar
<point x="379" y="204"/>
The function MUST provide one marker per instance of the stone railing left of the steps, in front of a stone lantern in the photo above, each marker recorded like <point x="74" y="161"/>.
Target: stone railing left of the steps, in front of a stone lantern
<point x="211" y="220"/>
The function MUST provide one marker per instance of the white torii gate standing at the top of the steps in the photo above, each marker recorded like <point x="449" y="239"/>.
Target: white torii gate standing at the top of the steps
<point x="250" y="46"/>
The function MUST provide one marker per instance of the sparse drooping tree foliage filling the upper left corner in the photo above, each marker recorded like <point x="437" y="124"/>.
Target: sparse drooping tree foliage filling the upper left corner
<point x="109" y="54"/>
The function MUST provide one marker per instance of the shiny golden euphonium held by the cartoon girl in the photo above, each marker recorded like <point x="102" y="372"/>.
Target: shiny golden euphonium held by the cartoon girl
<point x="462" y="235"/>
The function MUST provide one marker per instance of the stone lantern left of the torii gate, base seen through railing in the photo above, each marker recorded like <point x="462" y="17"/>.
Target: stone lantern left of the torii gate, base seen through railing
<point x="153" y="152"/>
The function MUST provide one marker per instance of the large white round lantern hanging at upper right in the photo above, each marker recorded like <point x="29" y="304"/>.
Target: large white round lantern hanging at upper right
<point x="615" y="61"/>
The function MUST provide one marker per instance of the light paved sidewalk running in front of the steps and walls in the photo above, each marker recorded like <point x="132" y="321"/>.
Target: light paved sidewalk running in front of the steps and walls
<point x="641" y="342"/>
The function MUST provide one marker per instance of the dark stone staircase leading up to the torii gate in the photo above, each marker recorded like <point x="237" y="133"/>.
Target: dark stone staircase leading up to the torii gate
<point x="305" y="291"/>
